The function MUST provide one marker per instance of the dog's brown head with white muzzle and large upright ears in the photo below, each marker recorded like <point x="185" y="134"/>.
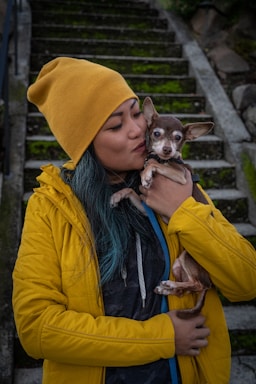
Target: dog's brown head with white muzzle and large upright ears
<point x="166" y="134"/>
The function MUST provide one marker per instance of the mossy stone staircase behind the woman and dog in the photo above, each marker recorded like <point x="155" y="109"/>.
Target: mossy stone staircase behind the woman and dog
<point x="135" y="39"/>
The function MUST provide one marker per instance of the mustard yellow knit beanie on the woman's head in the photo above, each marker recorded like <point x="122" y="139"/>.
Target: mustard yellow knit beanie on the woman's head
<point x="76" y="97"/>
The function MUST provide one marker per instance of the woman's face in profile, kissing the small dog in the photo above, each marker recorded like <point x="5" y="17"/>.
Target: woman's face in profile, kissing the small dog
<point x="120" y="144"/>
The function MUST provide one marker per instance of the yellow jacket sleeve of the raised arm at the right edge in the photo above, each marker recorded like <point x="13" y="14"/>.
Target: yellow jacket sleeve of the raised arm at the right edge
<point x="215" y="244"/>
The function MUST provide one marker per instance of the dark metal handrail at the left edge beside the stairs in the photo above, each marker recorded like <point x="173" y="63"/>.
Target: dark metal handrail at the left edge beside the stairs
<point x="11" y="11"/>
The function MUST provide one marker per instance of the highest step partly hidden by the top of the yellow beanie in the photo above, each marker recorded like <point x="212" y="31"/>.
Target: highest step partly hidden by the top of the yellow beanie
<point x="123" y="64"/>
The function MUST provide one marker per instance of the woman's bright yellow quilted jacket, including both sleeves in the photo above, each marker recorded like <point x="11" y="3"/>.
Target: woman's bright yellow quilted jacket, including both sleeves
<point x="58" y="306"/>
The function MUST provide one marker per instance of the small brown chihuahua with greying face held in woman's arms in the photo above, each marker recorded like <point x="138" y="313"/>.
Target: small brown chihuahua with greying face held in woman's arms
<point x="165" y="137"/>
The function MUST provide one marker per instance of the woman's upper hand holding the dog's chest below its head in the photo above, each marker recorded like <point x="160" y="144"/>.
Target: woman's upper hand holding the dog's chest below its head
<point x="165" y="196"/>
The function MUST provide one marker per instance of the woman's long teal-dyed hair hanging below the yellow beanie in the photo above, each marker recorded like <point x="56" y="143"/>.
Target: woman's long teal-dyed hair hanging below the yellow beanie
<point x="113" y="228"/>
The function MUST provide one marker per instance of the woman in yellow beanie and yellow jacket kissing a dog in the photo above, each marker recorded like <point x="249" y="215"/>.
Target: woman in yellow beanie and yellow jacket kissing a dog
<point x="85" y="274"/>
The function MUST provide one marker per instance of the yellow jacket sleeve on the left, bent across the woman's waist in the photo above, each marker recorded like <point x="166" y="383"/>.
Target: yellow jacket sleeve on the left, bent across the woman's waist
<point x="48" y="329"/>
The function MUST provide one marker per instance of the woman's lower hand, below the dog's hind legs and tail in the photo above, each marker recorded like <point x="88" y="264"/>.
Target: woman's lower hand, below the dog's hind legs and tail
<point x="190" y="334"/>
